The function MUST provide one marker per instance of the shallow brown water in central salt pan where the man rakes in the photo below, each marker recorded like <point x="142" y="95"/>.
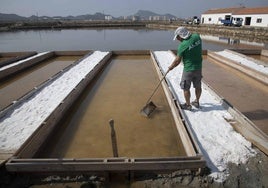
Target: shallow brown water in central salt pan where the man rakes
<point x="119" y="93"/>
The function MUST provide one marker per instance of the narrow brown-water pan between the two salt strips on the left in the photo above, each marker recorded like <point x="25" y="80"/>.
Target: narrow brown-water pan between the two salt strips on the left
<point x="18" y="85"/>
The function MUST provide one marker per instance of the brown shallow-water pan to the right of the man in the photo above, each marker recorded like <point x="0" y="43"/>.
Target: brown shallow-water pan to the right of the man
<point x="244" y="93"/>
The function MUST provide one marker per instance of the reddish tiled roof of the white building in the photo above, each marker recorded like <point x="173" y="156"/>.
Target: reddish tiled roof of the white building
<point x="239" y="10"/>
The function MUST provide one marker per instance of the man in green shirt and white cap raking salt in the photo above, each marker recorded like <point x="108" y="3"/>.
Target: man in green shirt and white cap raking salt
<point x="190" y="52"/>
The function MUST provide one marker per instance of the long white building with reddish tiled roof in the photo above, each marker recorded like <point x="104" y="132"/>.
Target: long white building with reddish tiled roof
<point x="251" y="16"/>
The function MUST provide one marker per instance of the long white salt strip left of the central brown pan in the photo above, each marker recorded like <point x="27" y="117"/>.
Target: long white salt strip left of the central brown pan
<point x="26" y="118"/>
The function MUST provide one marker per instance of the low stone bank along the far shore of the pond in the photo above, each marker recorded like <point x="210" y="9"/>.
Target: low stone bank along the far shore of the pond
<point x="257" y="34"/>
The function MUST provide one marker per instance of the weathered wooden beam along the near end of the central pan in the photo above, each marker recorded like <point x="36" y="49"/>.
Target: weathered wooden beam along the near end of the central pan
<point x="106" y="165"/>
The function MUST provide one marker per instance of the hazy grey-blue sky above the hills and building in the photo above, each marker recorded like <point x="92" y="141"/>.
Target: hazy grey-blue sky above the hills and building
<point x="116" y="8"/>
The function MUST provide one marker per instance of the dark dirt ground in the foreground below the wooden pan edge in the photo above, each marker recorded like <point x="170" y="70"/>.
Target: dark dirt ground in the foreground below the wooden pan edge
<point x="253" y="174"/>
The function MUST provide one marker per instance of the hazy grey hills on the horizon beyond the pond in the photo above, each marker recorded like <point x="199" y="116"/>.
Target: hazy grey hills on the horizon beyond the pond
<point x="143" y="14"/>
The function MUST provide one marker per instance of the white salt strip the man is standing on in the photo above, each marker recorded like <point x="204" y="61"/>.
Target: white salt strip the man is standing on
<point x="218" y="141"/>
